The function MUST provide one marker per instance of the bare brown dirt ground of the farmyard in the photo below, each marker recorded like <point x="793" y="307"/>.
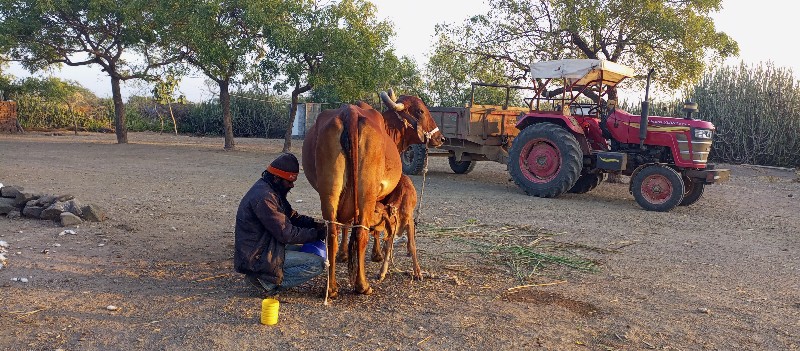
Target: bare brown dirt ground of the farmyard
<point x="722" y="274"/>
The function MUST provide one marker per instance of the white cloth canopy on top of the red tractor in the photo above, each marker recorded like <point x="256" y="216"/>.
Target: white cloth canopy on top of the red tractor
<point x="581" y="72"/>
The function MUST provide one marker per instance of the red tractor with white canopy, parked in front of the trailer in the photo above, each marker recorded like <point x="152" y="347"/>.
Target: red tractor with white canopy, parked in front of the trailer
<point x="571" y="138"/>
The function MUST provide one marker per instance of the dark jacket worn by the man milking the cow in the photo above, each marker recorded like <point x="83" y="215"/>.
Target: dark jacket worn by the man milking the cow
<point x="265" y="223"/>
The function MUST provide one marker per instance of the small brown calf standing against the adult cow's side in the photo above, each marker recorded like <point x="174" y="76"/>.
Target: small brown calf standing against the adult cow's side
<point x="395" y="215"/>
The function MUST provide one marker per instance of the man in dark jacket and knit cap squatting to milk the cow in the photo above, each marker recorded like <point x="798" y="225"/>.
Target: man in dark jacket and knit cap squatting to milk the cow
<point x="267" y="227"/>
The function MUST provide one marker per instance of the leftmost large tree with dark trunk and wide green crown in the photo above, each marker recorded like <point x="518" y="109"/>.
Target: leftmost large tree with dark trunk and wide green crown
<point x="85" y="32"/>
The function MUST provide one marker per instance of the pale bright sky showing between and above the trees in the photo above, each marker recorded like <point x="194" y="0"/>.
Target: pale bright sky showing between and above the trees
<point x="759" y="28"/>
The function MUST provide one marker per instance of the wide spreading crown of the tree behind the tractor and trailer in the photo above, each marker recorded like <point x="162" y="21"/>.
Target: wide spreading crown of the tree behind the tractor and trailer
<point x="673" y="37"/>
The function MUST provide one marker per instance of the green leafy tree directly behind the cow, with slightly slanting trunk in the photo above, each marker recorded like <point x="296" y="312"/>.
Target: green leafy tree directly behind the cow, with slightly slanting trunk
<point x="339" y="47"/>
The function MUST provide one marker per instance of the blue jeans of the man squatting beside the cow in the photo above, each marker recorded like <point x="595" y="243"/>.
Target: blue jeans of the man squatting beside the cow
<point x="298" y="267"/>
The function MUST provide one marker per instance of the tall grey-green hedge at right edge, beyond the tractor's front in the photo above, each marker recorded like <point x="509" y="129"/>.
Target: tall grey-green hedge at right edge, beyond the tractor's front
<point x="756" y="111"/>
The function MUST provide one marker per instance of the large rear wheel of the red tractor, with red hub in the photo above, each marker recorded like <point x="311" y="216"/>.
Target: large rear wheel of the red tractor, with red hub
<point x="545" y="160"/>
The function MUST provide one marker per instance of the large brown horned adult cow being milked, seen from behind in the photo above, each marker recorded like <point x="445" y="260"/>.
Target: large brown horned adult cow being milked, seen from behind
<point x="351" y="157"/>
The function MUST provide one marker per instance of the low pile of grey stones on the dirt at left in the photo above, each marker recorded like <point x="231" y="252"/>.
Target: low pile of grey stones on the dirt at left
<point x="64" y="209"/>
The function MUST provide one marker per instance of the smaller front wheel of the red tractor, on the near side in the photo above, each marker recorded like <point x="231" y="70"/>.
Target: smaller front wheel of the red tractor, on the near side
<point x="657" y="188"/>
